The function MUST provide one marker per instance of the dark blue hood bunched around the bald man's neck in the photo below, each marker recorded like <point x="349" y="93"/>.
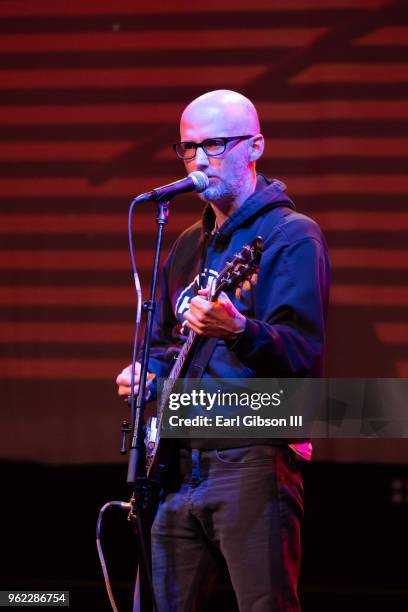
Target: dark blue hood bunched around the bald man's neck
<point x="269" y="193"/>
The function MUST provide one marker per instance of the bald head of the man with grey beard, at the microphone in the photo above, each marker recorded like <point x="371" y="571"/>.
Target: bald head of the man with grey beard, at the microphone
<point x="224" y="113"/>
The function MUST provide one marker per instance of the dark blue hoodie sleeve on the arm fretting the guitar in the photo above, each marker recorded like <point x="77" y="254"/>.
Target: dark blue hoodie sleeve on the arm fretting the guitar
<point x="286" y="337"/>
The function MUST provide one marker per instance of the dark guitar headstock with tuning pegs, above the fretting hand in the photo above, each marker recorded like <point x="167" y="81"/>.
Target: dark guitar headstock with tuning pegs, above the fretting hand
<point x="244" y="264"/>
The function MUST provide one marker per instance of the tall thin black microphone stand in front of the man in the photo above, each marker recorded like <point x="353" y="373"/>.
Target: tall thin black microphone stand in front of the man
<point x="136" y="476"/>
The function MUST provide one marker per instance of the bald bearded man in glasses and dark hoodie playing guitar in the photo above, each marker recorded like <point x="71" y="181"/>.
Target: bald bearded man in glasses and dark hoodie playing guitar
<point x="237" y="501"/>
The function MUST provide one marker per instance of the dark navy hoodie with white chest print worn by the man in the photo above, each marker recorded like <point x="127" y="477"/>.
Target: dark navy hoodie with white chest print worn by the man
<point x="285" y="305"/>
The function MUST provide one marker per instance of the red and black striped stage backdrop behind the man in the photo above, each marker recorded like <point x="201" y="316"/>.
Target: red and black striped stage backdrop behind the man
<point x="90" y="95"/>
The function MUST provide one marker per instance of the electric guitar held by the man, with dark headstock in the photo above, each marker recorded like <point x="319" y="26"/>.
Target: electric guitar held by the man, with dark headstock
<point x="243" y="265"/>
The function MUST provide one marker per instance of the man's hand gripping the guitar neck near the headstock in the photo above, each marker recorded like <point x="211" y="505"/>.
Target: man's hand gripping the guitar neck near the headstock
<point x="220" y="318"/>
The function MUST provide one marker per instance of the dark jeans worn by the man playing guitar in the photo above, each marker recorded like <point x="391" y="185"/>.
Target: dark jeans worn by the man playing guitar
<point x="245" y="504"/>
